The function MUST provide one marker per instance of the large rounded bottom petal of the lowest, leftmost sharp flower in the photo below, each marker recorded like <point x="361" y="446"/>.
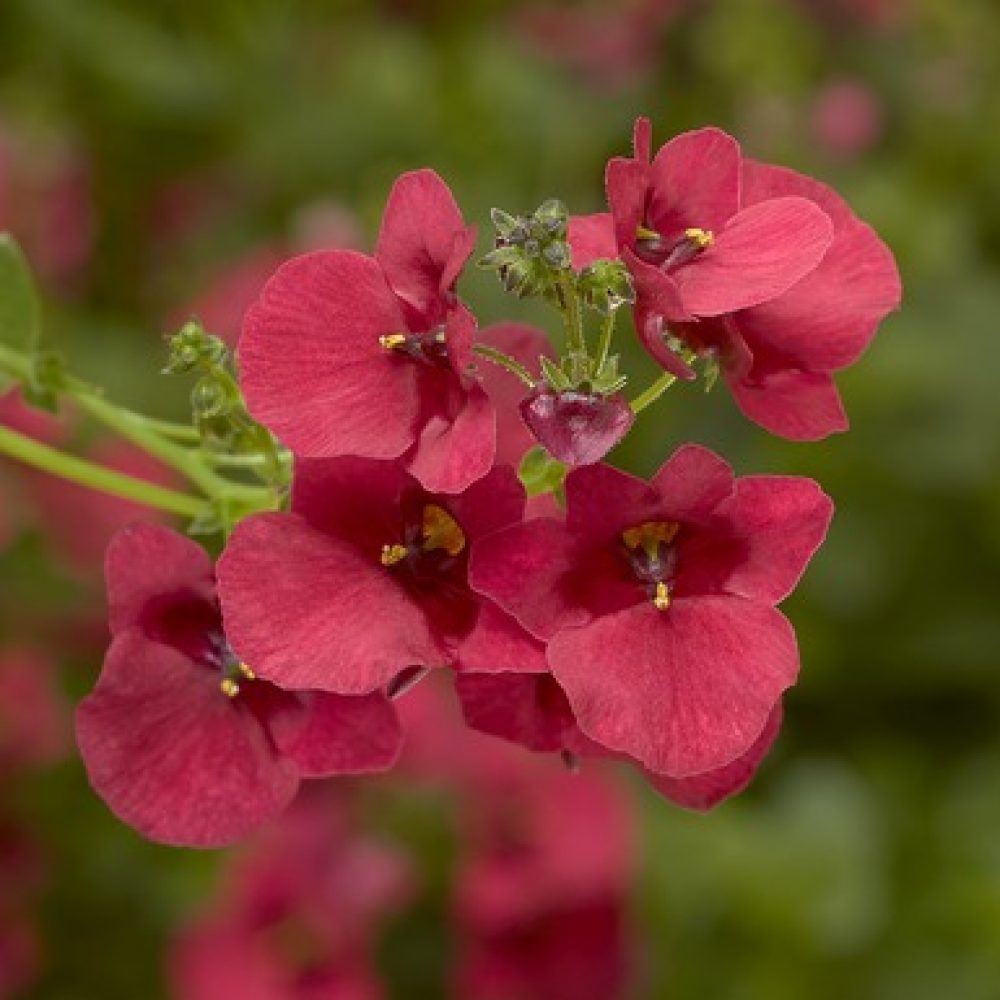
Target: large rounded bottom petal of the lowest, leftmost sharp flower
<point x="171" y="755"/>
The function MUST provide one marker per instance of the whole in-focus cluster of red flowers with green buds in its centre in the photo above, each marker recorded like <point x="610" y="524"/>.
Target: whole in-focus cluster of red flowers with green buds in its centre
<point x="450" y="508"/>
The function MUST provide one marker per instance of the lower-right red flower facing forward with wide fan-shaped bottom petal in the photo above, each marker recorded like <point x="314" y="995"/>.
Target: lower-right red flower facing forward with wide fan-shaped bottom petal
<point x="656" y="601"/>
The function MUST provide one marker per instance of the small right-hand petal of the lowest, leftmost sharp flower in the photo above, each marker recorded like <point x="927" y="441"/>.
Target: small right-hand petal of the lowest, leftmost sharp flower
<point x="327" y="734"/>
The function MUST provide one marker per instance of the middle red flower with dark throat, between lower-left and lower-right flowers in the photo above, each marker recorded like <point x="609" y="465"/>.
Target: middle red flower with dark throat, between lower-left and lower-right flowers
<point x="366" y="579"/>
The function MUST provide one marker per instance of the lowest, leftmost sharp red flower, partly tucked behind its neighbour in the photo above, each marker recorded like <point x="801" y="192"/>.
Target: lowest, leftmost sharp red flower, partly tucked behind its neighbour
<point x="179" y="737"/>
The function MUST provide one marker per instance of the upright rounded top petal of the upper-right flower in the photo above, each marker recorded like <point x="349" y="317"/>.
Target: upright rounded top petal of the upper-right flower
<point x="695" y="182"/>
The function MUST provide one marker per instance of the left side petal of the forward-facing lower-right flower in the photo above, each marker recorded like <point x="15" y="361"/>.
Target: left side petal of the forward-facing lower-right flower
<point x="524" y="569"/>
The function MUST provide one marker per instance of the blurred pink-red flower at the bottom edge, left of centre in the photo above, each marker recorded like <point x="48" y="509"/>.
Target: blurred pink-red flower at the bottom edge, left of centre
<point x="297" y="915"/>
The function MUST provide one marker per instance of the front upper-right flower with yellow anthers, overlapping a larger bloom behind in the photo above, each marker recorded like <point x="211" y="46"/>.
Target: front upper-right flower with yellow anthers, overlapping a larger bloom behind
<point x="693" y="247"/>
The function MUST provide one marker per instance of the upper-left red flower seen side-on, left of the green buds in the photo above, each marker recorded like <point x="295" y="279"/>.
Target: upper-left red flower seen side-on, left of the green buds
<point x="345" y="354"/>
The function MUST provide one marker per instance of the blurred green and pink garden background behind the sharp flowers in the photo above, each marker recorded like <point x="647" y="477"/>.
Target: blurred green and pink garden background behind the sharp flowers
<point x="158" y="158"/>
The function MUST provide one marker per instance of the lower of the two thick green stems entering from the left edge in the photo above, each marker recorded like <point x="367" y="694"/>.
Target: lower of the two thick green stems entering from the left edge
<point x="78" y="470"/>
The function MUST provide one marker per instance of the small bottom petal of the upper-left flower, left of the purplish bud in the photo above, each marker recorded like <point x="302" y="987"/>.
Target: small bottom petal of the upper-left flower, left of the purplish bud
<point x="450" y="454"/>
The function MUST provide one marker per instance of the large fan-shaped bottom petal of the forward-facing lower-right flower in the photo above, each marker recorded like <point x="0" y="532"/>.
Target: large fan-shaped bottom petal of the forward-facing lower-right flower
<point x="683" y="691"/>
